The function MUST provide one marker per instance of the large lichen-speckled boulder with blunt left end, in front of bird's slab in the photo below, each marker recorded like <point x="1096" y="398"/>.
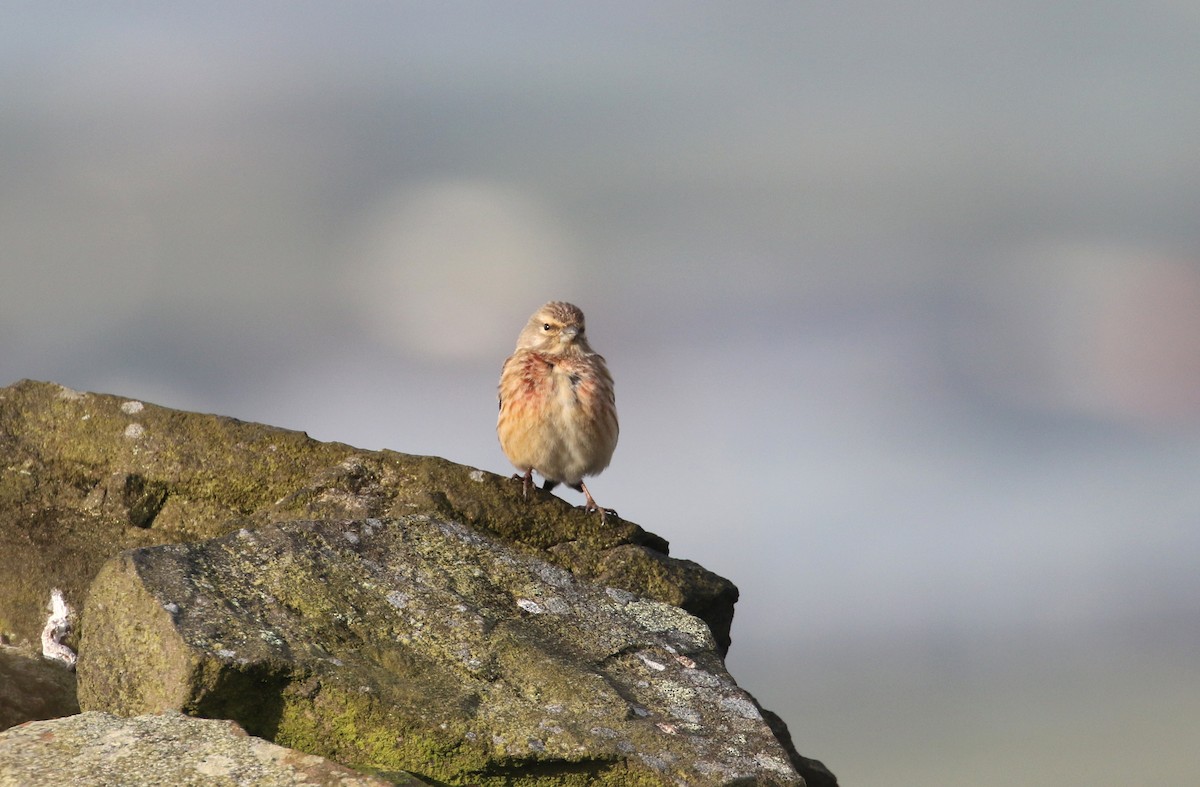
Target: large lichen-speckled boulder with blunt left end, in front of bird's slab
<point x="418" y="645"/>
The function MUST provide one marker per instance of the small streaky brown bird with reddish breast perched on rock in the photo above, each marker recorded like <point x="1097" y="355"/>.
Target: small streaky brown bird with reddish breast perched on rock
<point x="559" y="411"/>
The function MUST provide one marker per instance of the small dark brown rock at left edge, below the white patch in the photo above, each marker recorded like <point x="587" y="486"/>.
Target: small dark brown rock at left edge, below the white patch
<point x="33" y="688"/>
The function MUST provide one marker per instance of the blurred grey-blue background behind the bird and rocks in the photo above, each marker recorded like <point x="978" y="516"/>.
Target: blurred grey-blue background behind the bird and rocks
<point x="903" y="303"/>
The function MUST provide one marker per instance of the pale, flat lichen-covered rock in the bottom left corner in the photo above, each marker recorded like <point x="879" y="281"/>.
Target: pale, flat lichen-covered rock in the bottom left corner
<point x="99" y="750"/>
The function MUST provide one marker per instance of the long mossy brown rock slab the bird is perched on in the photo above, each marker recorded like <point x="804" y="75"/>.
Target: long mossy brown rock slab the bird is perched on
<point x="87" y="476"/>
